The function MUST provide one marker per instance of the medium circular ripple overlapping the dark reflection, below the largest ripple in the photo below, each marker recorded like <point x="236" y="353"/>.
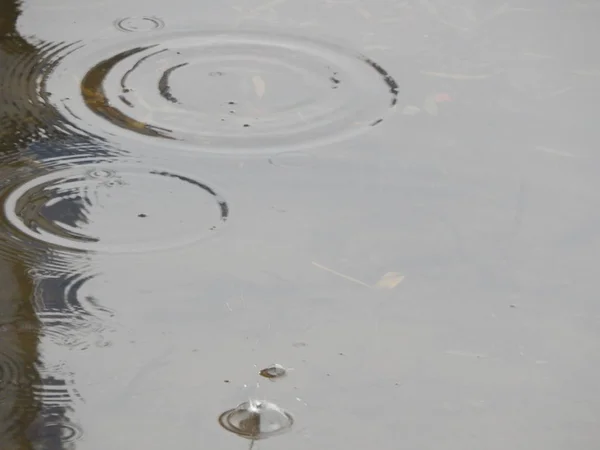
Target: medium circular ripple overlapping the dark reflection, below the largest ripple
<point x="114" y="208"/>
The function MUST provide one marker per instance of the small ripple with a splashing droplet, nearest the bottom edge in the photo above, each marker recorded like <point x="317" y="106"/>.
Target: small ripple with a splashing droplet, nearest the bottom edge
<point x="256" y="420"/>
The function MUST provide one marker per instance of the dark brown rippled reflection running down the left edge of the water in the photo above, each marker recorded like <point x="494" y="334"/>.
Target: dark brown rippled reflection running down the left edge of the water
<point x="36" y="401"/>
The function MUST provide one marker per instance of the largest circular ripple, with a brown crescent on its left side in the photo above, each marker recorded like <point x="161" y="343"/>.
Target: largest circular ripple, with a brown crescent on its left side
<point x="225" y="92"/>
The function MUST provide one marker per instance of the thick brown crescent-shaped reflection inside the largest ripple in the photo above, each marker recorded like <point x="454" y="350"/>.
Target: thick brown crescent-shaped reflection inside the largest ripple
<point x="95" y="97"/>
